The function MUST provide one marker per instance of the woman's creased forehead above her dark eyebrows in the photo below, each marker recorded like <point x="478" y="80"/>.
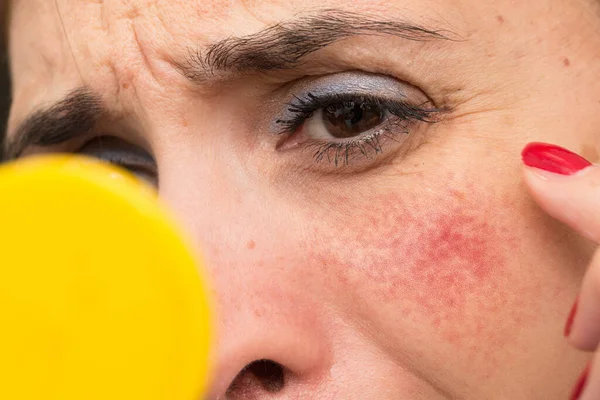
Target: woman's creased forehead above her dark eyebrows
<point x="68" y="43"/>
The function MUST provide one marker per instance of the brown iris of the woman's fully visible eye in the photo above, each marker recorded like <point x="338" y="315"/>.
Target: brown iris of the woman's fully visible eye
<point x="350" y="118"/>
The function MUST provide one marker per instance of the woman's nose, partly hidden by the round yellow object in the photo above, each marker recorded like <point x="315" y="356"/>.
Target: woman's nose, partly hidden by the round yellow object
<point x="255" y="263"/>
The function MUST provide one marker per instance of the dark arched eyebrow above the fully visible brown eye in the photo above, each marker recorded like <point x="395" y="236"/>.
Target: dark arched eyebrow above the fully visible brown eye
<point x="283" y="45"/>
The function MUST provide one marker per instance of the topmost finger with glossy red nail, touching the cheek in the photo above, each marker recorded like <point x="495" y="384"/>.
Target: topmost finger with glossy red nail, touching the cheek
<point x="565" y="185"/>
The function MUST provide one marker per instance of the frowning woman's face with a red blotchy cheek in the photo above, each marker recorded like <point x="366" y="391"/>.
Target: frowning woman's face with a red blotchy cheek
<point x="350" y="171"/>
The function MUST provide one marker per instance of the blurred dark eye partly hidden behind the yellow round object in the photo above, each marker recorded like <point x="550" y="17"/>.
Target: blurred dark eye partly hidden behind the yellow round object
<point x="125" y="155"/>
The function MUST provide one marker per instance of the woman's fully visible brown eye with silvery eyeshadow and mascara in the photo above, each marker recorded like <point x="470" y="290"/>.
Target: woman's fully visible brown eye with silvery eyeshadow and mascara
<point x="353" y="114"/>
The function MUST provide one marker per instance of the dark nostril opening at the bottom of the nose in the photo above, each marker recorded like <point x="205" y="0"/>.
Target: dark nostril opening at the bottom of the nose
<point x="258" y="376"/>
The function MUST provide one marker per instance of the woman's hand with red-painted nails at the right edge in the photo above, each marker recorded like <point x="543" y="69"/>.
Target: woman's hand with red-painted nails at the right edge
<point x="567" y="187"/>
